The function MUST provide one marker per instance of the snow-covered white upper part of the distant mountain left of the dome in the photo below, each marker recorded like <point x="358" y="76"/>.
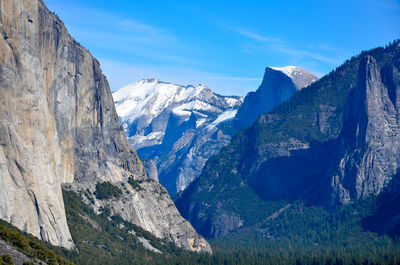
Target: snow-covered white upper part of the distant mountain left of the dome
<point x="146" y="99"/>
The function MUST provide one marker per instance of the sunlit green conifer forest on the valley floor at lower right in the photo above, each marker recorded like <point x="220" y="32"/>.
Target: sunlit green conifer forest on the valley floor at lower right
<point x="312" y="235"/>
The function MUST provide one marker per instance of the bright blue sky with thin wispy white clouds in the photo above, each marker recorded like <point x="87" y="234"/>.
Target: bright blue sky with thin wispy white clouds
<point x="224" y="44"/>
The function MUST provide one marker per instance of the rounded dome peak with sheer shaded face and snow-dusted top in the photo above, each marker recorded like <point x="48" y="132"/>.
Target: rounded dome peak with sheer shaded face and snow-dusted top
<point x="278" y="85"/>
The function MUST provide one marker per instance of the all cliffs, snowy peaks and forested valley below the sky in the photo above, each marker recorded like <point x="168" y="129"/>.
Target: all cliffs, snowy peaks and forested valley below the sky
<point x="301" y="171"/>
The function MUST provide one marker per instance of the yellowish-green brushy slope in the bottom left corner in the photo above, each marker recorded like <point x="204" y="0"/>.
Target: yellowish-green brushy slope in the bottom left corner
<point x="28" y="245"/>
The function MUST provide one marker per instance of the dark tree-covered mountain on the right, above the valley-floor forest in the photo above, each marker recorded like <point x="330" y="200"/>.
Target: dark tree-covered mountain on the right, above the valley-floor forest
<point x="332" y="143"/>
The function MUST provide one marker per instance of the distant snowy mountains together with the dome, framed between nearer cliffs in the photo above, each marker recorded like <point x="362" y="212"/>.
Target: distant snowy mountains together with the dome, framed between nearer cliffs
<point x="175" y="128"/>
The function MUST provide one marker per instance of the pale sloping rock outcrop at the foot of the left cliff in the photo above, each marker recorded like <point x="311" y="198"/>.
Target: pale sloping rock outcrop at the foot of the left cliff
<point x="148" y="205"/>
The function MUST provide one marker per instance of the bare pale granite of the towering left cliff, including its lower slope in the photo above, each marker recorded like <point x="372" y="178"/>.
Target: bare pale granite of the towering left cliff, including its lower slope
<point x="58" y="125"/>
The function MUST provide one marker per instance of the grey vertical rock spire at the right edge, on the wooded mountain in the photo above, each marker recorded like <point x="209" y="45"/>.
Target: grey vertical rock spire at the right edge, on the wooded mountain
<point x="370" y="134"/>
